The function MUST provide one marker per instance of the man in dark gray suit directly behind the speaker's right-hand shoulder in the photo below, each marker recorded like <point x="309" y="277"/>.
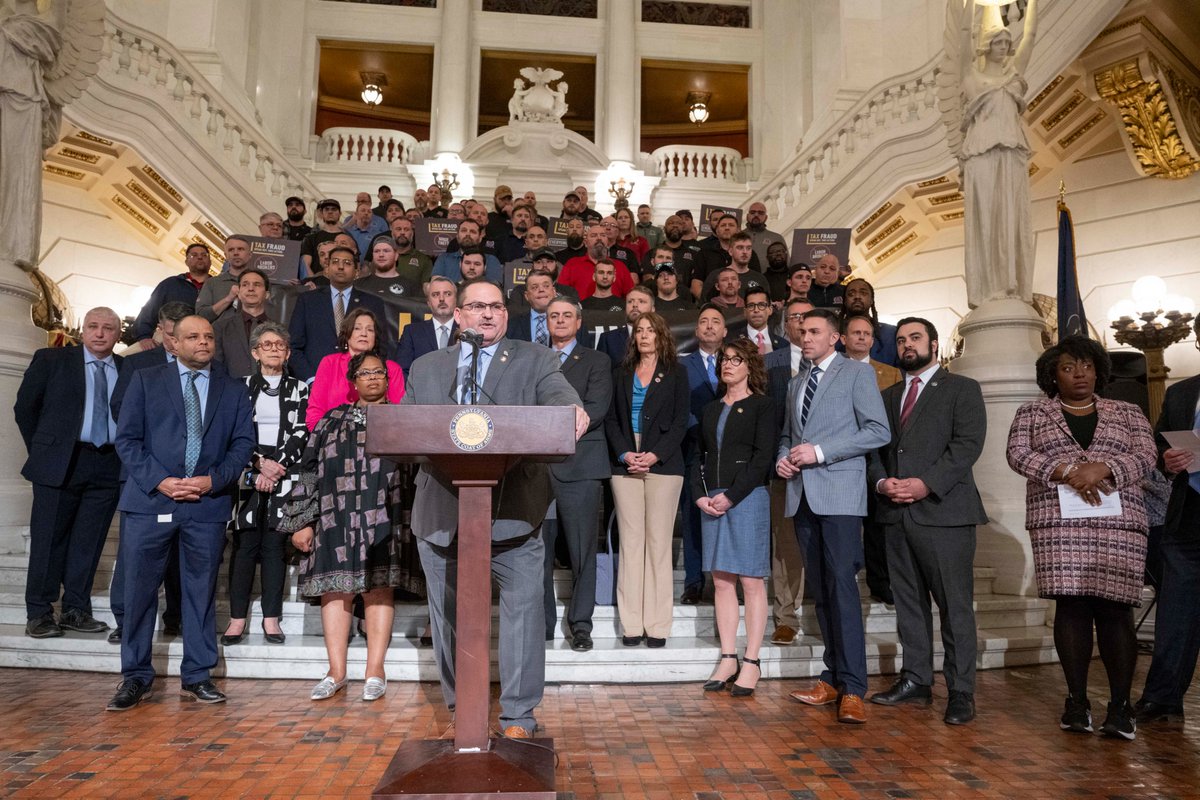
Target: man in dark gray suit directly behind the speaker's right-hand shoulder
<point x="578" y="480"/>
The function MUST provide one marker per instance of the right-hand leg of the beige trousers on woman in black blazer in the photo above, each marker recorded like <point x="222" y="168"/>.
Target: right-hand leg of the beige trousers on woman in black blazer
<point x="662" y="504"/>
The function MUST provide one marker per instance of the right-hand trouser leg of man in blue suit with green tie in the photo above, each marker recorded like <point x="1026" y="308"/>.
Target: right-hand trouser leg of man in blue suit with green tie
<point x="201" y="545"/>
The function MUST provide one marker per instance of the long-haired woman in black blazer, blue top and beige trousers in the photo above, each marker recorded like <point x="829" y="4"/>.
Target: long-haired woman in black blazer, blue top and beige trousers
<point x="645" y="426"/>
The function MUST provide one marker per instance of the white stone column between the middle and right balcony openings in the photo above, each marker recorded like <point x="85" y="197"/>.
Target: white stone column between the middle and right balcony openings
<point x="622" y="75"/>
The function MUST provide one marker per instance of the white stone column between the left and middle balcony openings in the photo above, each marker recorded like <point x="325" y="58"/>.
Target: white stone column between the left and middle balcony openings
<point x="452" y="80"/>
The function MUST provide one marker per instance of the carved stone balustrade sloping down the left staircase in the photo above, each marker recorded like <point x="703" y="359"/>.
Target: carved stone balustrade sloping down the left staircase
<point x="151" y="97"/>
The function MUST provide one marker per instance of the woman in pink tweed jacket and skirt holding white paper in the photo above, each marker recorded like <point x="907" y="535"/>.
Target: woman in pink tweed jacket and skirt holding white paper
<point x="1093" y="567"/>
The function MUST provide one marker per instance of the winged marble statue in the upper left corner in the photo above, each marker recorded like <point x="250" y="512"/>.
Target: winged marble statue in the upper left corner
<point x="46" y="61"/>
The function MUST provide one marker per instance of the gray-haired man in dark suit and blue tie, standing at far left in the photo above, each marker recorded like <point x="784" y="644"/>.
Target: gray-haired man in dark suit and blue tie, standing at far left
<point x="63" y="413"/>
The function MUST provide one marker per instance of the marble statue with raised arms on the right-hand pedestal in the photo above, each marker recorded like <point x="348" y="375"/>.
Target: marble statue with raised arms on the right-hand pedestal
<point x="982" y="98"/>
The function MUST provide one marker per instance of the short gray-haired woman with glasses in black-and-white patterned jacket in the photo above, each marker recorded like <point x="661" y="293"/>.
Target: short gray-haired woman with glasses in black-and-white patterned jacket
<point x="279" y="401"/>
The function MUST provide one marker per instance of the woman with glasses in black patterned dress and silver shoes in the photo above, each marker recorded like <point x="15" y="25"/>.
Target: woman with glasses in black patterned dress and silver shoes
<point x="345" y="515"/>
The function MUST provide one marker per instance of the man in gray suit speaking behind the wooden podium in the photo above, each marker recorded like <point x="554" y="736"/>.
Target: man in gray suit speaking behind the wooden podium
<point x="511" y="374"/>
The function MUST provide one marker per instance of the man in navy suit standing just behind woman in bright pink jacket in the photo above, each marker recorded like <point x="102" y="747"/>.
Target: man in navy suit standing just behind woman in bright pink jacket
<point x="315" y="321"/>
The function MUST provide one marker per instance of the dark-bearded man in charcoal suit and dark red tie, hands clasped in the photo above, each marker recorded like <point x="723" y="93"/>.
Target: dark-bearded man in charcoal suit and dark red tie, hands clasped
<point x="929" y="506"/>
